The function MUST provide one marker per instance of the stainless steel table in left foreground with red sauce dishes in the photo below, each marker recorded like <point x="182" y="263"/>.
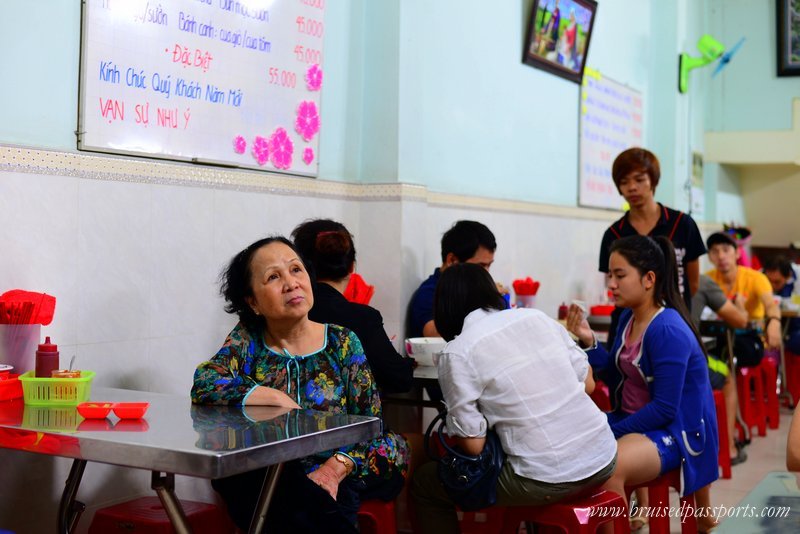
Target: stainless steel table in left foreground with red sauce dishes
<point x="176" y="437"/>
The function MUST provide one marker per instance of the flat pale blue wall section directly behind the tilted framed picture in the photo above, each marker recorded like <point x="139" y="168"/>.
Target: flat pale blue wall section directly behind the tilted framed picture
<point x="475" y="120"/>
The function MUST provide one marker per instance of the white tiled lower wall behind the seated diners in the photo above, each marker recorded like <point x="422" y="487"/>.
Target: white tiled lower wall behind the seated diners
<point x="135" y="266"/>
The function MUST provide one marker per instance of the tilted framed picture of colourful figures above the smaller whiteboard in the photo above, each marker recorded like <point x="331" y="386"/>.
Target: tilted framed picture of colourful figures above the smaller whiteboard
<point x="558" y="36"/>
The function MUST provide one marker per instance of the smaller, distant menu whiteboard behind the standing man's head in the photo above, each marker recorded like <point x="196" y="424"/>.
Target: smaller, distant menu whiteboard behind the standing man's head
<point x="610" y="122"/>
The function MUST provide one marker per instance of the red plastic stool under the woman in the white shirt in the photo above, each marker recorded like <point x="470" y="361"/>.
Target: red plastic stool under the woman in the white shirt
<point x="576" y="515"/>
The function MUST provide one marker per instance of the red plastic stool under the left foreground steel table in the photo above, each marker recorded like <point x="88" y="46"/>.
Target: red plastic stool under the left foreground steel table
<point x="146" y="515"/>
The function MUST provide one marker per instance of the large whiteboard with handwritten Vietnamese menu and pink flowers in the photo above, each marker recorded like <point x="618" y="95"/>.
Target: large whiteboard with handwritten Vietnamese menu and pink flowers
<point x="229" y="82"/>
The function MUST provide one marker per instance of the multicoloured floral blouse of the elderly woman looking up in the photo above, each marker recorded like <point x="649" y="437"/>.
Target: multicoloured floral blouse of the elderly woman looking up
<point x="336" y="379"/>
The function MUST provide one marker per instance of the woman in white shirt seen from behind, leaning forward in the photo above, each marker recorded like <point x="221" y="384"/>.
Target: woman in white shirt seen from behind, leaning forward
<point x="518" y="372"/>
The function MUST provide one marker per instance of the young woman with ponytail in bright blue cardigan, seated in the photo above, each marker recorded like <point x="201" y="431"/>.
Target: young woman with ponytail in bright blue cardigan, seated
<point x="662" y="405"/>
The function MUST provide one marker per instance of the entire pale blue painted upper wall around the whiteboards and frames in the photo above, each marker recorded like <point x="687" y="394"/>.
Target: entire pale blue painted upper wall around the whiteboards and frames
<point x="435" y="93"/>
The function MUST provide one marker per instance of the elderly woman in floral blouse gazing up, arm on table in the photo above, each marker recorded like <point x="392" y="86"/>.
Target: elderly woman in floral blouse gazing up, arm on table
<point x="277" y="356"/>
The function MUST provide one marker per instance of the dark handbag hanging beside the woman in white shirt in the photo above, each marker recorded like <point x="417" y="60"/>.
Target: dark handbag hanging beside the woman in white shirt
<point x="470" y="481"/>
